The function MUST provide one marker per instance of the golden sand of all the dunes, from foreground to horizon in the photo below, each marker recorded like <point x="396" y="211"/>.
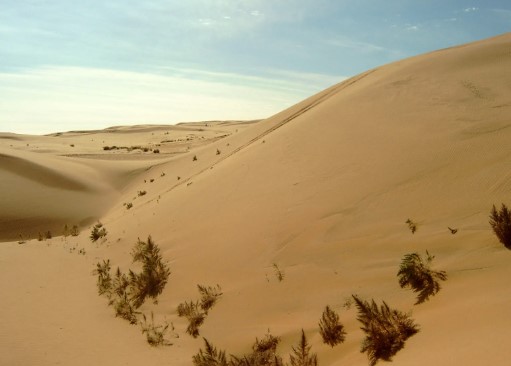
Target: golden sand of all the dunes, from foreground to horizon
<point x="321" y="190"/>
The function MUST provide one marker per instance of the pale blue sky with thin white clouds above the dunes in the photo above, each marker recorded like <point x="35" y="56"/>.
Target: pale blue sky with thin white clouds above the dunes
<point x="89" y="64"/>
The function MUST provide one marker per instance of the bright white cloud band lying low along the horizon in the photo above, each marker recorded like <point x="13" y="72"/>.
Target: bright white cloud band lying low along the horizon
<point x="50" y="99"/>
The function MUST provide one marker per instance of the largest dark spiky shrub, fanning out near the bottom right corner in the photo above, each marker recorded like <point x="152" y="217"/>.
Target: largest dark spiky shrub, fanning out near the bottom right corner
<point x="386" y="330"/>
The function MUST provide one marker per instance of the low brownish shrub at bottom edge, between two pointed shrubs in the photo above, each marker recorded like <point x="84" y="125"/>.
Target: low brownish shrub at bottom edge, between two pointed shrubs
<point x="264" y="353"/>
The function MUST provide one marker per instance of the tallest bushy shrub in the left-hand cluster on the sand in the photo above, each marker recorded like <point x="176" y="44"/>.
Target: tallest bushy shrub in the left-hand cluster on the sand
<point x="155" y="272"/>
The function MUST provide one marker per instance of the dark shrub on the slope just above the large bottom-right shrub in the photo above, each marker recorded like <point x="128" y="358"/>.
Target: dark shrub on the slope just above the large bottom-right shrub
<point x="415" y="272"/>
